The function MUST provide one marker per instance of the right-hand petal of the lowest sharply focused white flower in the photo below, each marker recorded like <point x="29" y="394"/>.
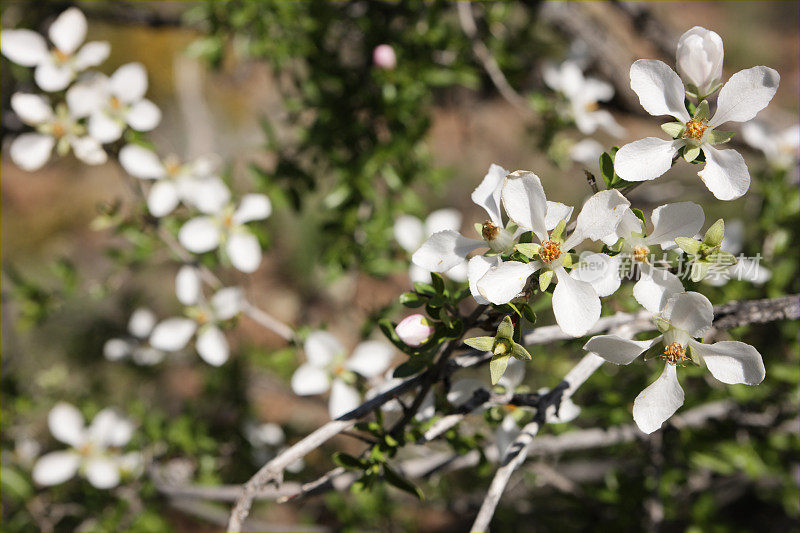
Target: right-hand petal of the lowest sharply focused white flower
<point x="732" y="362"/>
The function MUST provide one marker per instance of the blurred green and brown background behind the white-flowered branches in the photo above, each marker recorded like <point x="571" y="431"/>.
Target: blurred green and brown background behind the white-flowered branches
<point x="292" y="100"/>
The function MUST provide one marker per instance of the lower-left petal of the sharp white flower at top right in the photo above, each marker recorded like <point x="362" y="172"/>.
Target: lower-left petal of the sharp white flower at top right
<point x="645" y="159"/>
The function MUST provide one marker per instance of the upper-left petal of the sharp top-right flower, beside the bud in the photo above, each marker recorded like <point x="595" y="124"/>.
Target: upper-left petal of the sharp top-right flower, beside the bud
<point x="659" y="89"/>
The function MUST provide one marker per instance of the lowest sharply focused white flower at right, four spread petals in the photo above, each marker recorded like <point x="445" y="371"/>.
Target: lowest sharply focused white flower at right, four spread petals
<point x="685" y="317"/>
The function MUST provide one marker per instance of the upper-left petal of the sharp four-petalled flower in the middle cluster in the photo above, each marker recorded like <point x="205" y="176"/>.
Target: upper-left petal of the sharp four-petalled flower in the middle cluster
<point x="525" y="202"/>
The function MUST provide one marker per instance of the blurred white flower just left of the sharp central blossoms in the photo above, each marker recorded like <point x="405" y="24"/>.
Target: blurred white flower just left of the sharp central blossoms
<point x="410" y="233"/>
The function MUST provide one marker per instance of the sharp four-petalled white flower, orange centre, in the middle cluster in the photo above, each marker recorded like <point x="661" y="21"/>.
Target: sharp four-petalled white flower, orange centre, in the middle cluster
<point x="575" y="303"/>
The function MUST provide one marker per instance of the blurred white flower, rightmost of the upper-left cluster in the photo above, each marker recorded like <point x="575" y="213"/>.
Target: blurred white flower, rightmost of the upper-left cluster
<point x="113" y="103"/>
